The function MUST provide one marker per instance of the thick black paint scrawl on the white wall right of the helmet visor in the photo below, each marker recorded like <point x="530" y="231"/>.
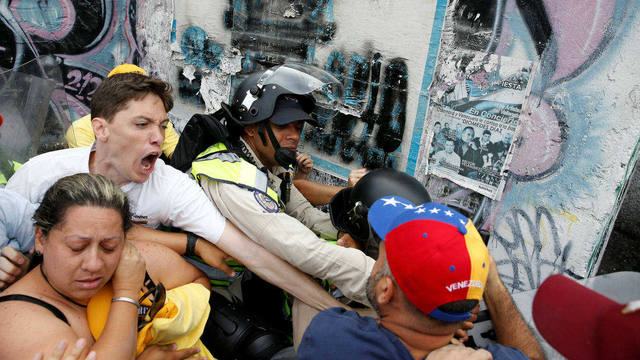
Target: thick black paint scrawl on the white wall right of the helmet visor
<point x="361" y="77"/>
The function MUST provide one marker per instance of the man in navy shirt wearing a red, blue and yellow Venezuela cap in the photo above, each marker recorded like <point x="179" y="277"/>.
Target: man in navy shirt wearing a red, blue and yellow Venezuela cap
<point x="432" y="271"/>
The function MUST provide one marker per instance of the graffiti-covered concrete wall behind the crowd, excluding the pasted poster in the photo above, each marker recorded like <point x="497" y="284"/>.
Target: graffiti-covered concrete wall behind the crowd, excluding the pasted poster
<point x="578" y="135"/>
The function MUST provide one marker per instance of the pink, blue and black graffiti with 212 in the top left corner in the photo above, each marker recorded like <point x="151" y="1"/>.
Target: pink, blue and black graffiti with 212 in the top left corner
<point x="85" y="38"/>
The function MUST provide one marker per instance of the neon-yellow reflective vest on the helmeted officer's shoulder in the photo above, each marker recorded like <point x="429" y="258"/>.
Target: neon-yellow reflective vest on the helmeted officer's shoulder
<point x="219" y="164"/>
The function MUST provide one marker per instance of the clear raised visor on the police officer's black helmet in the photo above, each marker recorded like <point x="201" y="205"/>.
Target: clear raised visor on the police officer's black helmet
<point x="303" y="79"/>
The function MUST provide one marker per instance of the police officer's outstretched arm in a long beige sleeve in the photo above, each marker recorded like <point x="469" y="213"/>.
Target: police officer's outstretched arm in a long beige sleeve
<point x="290" y="240"/>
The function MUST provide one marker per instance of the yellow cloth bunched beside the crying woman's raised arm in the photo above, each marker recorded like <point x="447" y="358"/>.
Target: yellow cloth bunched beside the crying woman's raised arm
<point x="181" y="320"/>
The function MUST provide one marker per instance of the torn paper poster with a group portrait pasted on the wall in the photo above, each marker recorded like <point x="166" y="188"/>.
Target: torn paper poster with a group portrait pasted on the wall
<point x="476" y="104"/>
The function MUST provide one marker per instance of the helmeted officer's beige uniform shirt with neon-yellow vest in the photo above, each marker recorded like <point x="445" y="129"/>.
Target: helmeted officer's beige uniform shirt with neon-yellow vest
<point x="245" y="194"/>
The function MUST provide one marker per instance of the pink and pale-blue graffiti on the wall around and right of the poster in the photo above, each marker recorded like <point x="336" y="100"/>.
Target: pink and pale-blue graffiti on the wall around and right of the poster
<point x="560" y="151"/>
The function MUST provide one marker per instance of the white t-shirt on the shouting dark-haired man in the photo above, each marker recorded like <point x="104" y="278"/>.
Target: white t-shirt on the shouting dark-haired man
<point x="168" y="197"/>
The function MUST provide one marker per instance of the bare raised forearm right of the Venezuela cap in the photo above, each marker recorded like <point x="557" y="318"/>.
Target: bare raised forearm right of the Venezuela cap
<point x="510" y="328"/>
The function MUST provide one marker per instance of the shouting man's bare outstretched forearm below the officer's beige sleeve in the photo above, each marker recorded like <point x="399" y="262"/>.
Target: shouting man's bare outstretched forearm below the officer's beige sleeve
<point x="273" y="269"/>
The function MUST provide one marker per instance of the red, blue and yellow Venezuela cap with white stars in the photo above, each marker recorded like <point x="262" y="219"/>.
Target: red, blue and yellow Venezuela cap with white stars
<point x="435" y="254"/>
